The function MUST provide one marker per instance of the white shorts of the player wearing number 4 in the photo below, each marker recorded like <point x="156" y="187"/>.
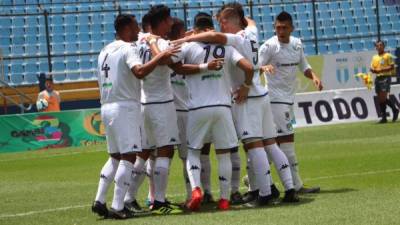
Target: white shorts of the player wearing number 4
<point x="122" y="122"/>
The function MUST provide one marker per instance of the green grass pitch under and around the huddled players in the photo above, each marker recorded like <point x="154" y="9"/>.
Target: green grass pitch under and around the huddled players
<point x="356" y="165"/>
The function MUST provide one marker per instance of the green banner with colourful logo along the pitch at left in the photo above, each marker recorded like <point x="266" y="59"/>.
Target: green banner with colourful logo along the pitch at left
<point x="33" y="131"/>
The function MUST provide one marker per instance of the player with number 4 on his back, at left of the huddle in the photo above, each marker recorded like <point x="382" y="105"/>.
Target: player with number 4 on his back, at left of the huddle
<point x="119" y="71"/>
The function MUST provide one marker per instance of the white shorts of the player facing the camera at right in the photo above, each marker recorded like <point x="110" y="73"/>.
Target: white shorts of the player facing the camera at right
<point x="284" y="118"/>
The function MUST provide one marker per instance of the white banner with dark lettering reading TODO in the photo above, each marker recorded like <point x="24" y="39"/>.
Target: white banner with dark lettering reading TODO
<point x="340" y="106"/>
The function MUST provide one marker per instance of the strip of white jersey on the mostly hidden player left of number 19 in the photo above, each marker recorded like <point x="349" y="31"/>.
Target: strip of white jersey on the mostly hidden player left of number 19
<point x="180" y="89"/>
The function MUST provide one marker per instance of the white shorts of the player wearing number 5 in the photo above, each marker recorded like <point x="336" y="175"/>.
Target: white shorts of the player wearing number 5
<point x="253" y="119"/>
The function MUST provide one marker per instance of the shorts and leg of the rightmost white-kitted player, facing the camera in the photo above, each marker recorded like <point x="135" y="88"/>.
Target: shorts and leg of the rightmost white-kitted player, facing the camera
<point x="283" y="118"/>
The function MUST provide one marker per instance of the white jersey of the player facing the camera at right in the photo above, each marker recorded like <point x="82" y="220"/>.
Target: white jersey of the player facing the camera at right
<point x="285" y="58"/>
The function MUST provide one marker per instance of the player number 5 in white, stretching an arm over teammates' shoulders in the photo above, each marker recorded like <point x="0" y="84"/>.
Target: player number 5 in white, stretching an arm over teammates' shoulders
<point x="253" y="119"/>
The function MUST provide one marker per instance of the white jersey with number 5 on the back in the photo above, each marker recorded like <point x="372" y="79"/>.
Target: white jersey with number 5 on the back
<point x="246" y="43"/>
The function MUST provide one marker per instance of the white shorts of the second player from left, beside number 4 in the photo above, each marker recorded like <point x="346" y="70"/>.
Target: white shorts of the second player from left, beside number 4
<point x="160" y="123"/>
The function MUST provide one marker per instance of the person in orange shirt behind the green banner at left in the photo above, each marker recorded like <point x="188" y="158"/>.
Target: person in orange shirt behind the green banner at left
<point x="51" y="96"/>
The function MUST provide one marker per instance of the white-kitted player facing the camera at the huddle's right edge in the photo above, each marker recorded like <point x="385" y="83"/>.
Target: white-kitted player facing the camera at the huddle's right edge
<point x="285" y="53"/>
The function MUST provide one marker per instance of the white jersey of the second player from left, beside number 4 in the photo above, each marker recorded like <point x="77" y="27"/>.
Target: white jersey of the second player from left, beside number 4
<point x="156" y="87"/>
